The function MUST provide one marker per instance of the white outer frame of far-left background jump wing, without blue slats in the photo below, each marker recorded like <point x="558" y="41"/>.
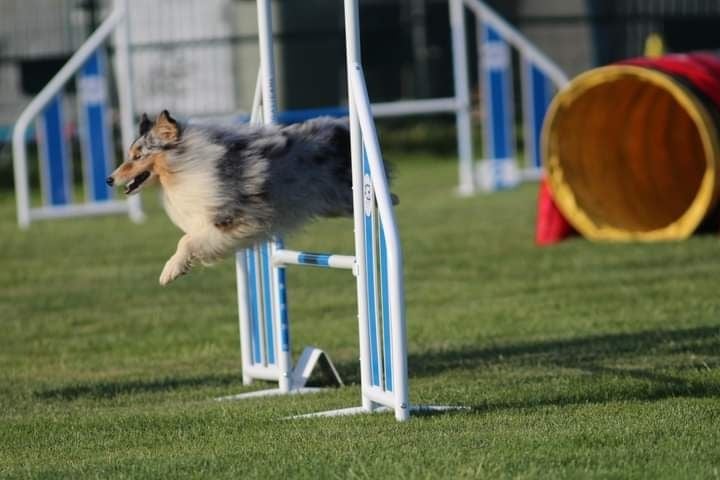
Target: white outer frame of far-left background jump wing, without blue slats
<point x="116" y="23"/>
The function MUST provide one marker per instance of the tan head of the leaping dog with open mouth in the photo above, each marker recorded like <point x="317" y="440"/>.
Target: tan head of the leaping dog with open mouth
<point x="147" y="155"/>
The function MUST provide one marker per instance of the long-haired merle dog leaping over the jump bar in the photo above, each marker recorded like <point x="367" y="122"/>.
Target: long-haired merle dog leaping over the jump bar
<point x="227" y="188"/>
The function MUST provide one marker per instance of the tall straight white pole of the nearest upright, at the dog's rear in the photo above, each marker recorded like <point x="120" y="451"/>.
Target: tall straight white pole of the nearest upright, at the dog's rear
<point x="352" y="48"/>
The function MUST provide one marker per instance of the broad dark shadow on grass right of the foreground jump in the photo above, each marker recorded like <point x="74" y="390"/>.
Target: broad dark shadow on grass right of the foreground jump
<point x="655" y="351"/>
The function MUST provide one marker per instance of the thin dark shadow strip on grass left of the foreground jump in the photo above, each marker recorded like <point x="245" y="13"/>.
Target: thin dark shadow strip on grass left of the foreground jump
<point x="110" y="389"/>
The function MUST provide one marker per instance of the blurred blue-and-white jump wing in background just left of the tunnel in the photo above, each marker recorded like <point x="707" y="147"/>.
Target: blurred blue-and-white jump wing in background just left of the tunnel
<point x="496" y="42"/>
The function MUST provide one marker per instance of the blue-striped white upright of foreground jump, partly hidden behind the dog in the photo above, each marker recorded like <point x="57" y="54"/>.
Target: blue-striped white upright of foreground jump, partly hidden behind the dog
<point x="262" y="301"/>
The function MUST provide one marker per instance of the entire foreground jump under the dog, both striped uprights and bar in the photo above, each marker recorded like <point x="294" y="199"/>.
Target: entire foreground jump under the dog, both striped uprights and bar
<point x="377" y="263"/>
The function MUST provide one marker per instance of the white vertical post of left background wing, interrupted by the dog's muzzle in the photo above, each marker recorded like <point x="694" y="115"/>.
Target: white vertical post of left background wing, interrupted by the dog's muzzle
<point x="123" y="75"/>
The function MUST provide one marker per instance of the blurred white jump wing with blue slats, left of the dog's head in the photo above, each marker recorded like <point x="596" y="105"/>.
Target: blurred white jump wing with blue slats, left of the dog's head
<point x="55" y="166"/>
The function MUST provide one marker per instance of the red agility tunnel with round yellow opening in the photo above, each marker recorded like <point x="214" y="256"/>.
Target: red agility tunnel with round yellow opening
<point x="631" y="150"/>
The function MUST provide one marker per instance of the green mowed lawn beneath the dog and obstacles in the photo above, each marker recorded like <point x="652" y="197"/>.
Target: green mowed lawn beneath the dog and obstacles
<point x="577" y="361"/>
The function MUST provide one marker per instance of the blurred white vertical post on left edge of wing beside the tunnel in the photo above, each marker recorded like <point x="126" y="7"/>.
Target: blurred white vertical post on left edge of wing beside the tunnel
<point x="462" y="94"/>
